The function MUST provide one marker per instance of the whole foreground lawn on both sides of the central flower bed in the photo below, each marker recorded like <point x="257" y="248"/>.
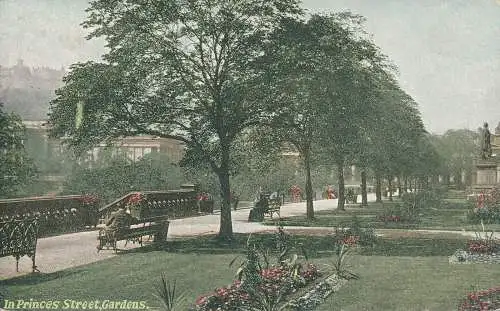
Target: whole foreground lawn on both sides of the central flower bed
<point x="397" y="274"/>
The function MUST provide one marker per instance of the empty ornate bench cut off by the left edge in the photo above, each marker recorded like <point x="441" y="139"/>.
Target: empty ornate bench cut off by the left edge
<point x="18" y="238"/>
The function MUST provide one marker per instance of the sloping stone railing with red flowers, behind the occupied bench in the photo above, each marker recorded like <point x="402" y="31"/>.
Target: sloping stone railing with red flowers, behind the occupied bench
<point x="172" y="203"/>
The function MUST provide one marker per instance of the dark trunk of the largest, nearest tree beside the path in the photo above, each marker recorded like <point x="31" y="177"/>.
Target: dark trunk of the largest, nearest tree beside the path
<point x="226" y="224"/>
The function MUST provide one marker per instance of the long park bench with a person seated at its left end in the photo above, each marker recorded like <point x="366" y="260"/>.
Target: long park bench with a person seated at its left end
<point x="156" y="227"/>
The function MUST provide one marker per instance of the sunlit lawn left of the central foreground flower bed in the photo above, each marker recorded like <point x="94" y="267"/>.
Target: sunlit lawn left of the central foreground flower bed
<point x="131" y="276"/>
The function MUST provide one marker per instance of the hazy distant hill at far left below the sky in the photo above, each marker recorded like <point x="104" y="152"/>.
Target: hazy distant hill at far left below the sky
<point x="28" y="91"/>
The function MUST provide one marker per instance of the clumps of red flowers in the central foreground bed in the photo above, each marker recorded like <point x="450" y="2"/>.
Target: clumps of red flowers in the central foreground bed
<point x="275" y="281"/>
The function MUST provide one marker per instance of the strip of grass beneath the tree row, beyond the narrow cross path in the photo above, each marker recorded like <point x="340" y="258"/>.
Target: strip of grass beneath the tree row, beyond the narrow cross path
<point x="450" y="218"/>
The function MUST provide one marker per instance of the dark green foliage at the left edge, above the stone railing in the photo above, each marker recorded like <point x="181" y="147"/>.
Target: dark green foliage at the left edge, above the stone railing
<point x="17" y="169"/>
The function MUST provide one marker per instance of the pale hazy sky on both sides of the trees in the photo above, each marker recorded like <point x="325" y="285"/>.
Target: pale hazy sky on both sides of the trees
<point x="447" y="51"/>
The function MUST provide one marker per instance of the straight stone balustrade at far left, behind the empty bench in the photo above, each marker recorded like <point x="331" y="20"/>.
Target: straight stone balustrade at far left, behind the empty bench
<point x="54" y="214"/>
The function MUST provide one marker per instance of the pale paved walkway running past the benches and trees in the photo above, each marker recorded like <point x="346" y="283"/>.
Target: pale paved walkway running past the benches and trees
<point x="70" y="250"/>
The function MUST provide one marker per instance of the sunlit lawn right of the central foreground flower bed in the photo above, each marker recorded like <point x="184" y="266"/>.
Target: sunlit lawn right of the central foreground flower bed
<point x="410" y="284"/>
